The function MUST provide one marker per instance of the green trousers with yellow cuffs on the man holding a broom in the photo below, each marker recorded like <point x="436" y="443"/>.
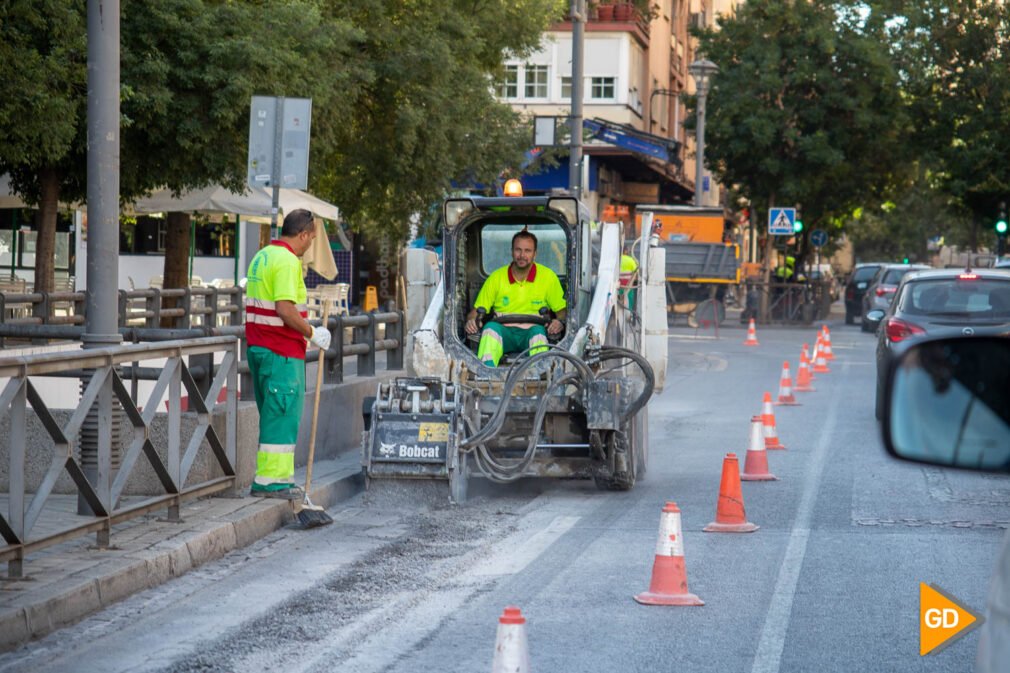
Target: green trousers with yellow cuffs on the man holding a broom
<point x="279" y="384"/>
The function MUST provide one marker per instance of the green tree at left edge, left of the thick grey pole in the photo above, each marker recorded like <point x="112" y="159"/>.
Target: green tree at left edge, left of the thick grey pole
<point x="43" y="112"/>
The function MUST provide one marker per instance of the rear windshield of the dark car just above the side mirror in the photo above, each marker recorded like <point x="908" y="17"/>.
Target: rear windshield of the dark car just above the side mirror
<point x="956" y="298"/>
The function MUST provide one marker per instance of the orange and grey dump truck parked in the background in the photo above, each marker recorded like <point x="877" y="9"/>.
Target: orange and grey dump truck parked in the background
<point x="700" y="264"/>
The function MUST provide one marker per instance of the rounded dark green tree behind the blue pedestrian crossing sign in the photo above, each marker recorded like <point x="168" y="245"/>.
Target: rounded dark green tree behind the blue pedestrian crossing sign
<point x="805" y="110"/>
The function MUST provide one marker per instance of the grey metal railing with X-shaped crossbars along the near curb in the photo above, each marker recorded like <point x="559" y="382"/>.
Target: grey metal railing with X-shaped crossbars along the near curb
<point x="105" y="490"/>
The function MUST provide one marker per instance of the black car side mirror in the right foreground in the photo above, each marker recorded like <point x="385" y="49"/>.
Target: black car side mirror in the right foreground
<point x="948" y="403"/>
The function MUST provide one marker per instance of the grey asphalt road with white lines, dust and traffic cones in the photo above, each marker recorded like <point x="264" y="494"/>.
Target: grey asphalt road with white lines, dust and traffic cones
<point x="403" y="584"/>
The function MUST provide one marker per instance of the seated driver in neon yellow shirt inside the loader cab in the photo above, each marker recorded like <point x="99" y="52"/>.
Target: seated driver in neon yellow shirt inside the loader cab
<point x="523" y="287"/>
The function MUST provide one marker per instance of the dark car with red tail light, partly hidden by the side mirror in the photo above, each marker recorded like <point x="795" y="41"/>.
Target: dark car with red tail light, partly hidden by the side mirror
<point x="943" y="303"/>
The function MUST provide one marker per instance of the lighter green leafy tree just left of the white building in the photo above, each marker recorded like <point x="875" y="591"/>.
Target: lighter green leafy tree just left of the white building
<point x="428" y="117"/>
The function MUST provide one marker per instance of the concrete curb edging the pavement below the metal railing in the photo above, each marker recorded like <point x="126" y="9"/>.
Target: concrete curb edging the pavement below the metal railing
<point x="234" y="525"/>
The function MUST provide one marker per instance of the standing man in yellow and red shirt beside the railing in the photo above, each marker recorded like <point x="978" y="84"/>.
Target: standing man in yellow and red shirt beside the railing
<point x="276" y="331"/>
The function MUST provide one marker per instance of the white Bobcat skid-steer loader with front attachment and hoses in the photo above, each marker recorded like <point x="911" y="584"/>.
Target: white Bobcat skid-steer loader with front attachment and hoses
<point x="576" y="411"/>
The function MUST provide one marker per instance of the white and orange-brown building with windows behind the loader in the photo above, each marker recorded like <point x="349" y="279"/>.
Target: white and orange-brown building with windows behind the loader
<point x="636" y="72"/>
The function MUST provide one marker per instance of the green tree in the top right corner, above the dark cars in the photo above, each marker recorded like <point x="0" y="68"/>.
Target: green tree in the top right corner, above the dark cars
<point x="955" y="61"/>
